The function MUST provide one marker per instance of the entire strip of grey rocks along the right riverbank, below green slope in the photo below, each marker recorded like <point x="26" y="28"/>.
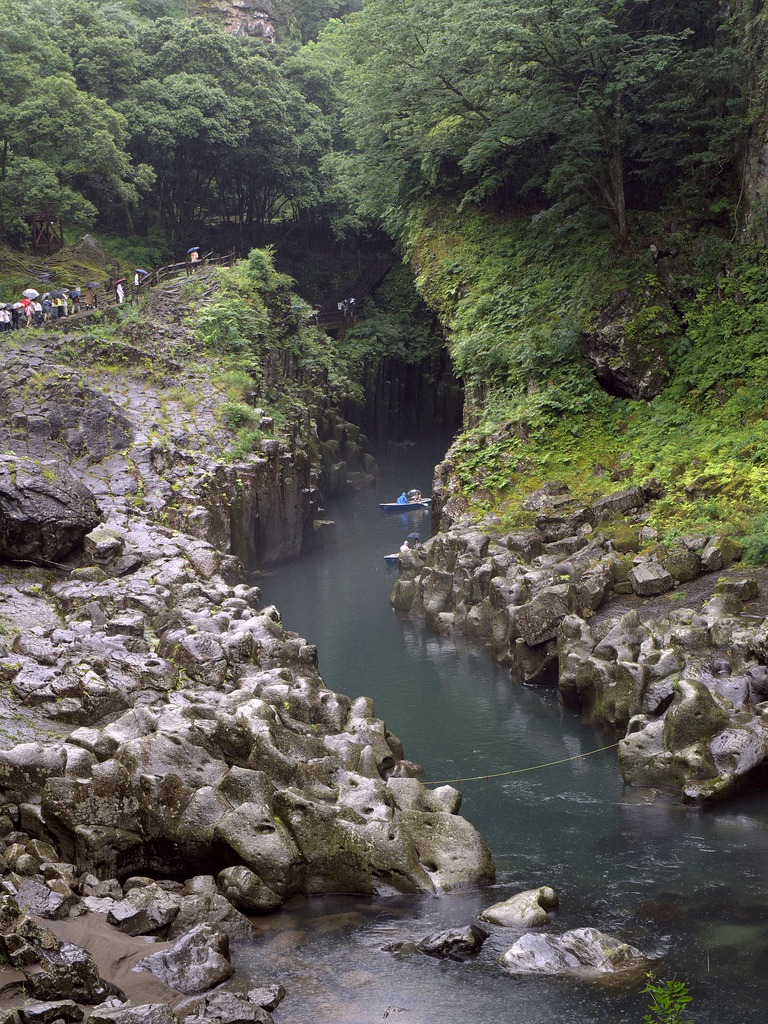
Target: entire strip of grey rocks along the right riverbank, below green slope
<point x="662" y="645"/>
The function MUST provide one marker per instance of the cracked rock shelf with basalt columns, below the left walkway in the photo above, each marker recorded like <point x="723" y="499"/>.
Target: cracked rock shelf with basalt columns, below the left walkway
<point x="139" y="419"/>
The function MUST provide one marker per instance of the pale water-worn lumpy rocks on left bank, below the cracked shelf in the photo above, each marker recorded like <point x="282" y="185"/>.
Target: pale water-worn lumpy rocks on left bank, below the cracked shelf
<point x="204" y="735"/>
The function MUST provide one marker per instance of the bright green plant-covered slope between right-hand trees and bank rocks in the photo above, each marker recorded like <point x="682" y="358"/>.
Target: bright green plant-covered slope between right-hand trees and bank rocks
<point x="522" y="304"/>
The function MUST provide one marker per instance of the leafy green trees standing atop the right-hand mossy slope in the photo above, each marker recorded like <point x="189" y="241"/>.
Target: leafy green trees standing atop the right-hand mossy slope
<point x="598" y="106"/>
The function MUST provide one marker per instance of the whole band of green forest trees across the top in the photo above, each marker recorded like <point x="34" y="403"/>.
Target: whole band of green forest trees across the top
<point x="126" y="116"/>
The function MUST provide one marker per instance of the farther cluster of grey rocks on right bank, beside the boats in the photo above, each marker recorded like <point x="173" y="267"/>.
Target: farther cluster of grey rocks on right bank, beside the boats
<point x="517" y="588"/>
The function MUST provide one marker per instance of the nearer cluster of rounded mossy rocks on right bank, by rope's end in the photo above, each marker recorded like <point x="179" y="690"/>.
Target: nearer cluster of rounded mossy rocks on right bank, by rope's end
<point x="689" y="690"/>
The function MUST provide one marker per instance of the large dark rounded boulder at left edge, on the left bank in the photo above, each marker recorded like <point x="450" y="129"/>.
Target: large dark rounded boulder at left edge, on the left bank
<point x="46" y="511"/>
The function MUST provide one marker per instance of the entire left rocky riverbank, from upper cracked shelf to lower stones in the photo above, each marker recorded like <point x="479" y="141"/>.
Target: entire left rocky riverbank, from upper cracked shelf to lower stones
<point x="172" y="760"/>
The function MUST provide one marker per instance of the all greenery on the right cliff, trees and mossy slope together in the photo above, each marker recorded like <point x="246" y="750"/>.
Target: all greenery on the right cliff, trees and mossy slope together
<point x="551" y="175"/>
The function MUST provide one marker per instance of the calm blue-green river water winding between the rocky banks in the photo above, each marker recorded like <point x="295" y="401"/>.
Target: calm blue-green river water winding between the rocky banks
<point x="688" y="887"/>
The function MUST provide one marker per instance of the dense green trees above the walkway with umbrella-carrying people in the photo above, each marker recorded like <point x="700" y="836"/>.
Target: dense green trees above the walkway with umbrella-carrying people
<point x="112" y="110"/>
